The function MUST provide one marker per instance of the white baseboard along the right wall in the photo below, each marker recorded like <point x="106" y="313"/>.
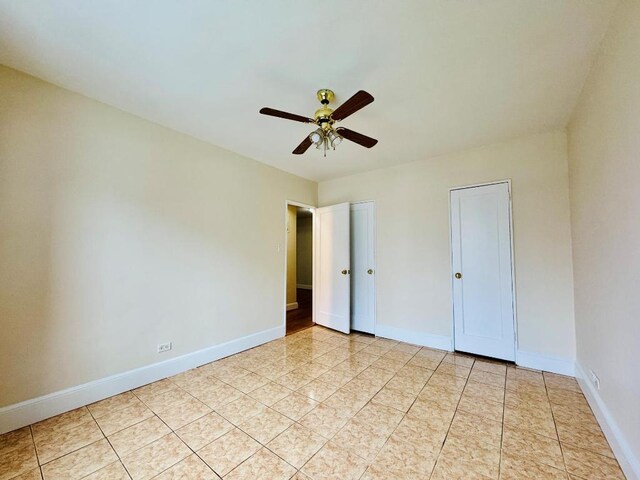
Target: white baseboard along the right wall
<point x="625" y="455"/>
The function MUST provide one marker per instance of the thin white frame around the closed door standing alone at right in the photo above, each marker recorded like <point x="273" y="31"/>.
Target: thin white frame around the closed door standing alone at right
<point x="513" y="262"/>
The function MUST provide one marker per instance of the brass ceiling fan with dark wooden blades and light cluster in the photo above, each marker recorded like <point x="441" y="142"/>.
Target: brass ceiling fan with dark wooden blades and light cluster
<point x="327" y="135"/>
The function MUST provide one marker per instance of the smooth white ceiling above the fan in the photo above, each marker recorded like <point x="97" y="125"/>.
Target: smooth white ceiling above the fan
<point x="446" y="75"/>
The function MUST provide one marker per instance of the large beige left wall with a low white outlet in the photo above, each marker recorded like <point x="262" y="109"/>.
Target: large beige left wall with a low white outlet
<point x="117" y="234"/>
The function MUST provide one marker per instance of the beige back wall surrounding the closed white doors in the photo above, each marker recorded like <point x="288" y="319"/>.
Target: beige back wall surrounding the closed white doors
<point x="413" y="256"/>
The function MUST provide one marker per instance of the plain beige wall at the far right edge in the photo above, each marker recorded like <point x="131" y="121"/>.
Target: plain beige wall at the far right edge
<point x="604" y="159"/>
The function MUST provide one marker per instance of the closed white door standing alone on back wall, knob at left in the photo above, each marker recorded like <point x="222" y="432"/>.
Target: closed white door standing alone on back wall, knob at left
<point x="482" y="271"/>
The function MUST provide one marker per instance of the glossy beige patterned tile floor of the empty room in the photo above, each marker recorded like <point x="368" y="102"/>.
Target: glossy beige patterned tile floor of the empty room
<point x="322" y="405"/>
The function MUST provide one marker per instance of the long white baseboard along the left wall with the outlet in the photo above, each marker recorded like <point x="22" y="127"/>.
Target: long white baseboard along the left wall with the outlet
<point x="30" y="411"/>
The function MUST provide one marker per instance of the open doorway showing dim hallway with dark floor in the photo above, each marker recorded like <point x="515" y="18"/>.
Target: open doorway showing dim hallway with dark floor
<point x="299" y="268"/>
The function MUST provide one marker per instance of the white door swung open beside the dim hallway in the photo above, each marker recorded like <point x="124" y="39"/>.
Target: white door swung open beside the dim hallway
<point x="332" y="267"/>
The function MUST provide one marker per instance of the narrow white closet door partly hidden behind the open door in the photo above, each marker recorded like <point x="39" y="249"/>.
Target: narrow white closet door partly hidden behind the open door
<point x="362" y="267"/>
